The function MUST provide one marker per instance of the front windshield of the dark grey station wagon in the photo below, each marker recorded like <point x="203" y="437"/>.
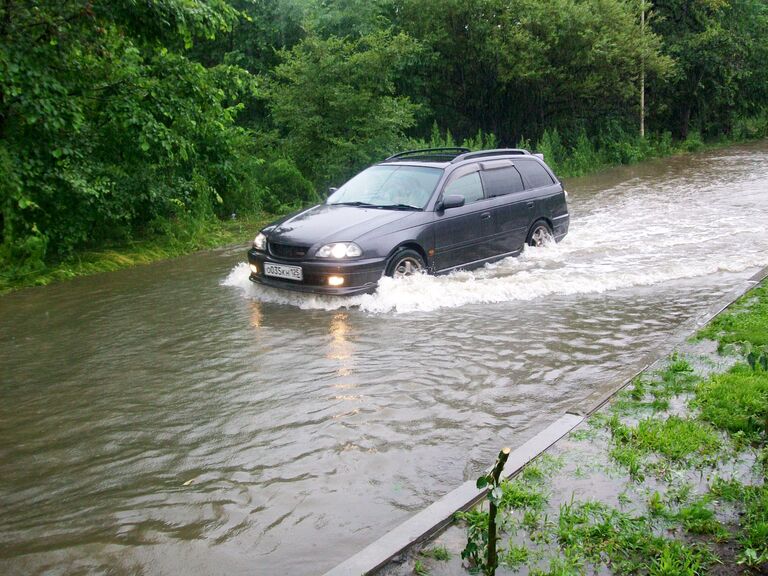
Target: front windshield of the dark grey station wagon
<point x="389" y="187"/>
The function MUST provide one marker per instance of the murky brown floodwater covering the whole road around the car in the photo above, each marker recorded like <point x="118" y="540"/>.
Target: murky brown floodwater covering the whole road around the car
<point x="175" y="419"/>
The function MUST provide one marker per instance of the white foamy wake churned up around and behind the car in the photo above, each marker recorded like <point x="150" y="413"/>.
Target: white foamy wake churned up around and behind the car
<point x="623" y="237"/>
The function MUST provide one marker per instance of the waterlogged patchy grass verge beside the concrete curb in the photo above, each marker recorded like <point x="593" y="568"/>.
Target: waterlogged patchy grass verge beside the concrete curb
<point x="668" y="479"/>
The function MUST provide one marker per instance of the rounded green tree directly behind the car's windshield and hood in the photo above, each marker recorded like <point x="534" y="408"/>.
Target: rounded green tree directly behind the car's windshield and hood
<point x="334" y="102"/>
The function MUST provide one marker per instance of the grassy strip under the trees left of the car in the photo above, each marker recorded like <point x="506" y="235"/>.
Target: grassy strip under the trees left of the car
<point x="177" y="239"/>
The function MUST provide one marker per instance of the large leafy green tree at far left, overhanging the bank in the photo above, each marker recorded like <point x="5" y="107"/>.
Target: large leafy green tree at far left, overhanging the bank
<point x="106" y="125"/>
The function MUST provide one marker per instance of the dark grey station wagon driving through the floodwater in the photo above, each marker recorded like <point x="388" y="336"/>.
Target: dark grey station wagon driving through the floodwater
<point x="433" y="210"/>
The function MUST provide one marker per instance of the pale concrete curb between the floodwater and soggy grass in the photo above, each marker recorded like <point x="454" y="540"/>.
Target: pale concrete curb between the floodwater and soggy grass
<point x="438" y="515"/>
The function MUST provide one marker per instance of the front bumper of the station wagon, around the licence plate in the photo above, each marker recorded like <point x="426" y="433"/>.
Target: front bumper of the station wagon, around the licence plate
<point x="360" y="276"/>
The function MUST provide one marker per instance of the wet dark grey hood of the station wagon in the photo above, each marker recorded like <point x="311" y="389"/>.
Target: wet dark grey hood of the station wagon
<point x="332" y="223"/>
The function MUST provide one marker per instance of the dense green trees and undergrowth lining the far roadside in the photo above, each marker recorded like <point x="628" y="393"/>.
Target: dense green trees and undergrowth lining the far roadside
<point x="122" y="118"/>
